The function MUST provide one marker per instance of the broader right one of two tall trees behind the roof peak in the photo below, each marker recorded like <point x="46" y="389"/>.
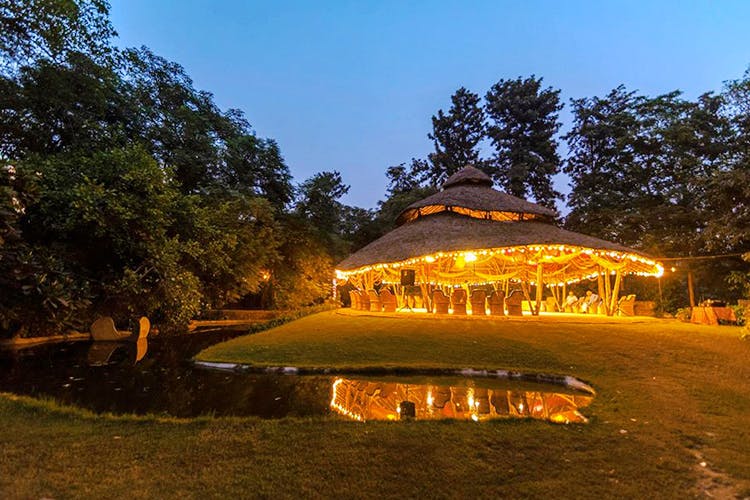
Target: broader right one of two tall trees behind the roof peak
<point x="524" y="121"/>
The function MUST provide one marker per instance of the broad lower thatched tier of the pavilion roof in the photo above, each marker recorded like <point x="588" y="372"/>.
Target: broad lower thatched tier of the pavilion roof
<point x="447" y="232"/>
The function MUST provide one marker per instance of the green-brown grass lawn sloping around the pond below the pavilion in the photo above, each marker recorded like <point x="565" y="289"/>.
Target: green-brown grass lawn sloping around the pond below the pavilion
<point x="670" y="396"/>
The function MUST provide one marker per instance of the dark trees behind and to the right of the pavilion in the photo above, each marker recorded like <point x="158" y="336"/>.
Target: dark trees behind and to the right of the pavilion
<point x="664" y="174"/>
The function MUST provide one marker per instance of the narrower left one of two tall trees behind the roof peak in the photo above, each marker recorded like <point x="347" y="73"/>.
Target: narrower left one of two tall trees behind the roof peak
<point x="456" y="136"/>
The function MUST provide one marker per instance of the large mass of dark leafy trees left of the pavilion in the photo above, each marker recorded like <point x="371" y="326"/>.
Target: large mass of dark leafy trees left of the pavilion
<point x="126" y="191"/>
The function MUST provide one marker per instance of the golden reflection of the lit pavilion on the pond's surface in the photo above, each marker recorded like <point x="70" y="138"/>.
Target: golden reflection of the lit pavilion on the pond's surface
<point x="377" y="400"/>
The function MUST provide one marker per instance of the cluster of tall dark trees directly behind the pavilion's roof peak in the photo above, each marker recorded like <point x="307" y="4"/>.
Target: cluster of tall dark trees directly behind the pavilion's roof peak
<point x="517" y="121"/>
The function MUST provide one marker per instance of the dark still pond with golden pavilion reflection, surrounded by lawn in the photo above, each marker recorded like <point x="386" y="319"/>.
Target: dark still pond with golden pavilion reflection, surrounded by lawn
<point x="159" y="378"/>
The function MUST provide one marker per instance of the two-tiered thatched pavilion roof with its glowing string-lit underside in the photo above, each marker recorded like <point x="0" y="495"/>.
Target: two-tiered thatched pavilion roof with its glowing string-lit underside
<point x="470" y="234"/>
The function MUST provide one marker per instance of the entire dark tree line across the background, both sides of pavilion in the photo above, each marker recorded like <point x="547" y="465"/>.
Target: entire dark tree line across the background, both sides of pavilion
<point x="126" y="191"/>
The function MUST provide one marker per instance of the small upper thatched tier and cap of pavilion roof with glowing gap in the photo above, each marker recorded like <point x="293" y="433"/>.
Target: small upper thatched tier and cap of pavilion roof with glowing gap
<point x="470" y="192"/>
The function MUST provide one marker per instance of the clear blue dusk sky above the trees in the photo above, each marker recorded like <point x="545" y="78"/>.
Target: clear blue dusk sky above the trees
<point x="352" y="85"/>
